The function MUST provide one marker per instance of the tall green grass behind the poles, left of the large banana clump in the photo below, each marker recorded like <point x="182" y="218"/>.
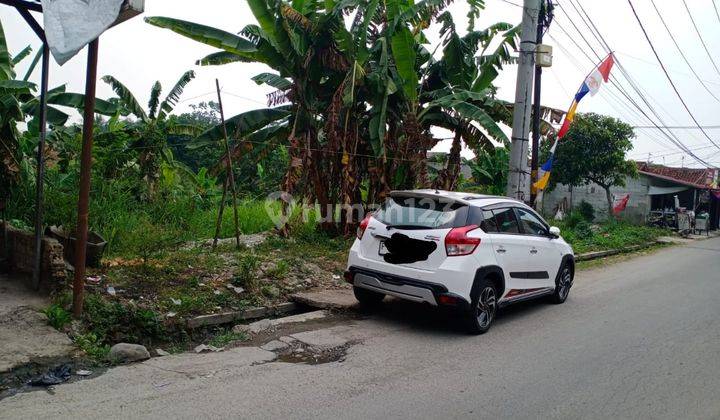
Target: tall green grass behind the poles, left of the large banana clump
<point x="130" y="225"/>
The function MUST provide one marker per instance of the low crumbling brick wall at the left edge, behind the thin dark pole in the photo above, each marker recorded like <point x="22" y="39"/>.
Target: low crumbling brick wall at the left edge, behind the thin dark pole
<point x="20" y="252"/>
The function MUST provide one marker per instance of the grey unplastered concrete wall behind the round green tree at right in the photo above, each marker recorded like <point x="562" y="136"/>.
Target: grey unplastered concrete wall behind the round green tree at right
<point x="637" y="209"/>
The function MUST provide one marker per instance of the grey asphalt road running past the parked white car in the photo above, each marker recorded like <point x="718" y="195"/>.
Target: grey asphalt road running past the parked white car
<point x="637" y="339"/>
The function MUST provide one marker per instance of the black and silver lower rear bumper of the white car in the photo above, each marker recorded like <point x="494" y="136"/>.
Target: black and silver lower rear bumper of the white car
<point x="404" y="288"/>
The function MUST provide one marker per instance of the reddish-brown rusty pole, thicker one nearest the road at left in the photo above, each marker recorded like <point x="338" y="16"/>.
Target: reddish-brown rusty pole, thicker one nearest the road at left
<point x="85" y="164"/>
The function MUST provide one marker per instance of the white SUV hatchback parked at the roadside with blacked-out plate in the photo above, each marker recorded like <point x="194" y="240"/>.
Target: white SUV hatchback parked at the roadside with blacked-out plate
<point x="473" y="252"/>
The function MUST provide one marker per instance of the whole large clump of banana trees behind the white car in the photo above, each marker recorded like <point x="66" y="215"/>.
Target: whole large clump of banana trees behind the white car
<point x="361" y="93"/>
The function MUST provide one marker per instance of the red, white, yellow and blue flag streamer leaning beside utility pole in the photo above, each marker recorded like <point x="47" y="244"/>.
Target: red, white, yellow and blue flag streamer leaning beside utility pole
<point x="590" y="85"/>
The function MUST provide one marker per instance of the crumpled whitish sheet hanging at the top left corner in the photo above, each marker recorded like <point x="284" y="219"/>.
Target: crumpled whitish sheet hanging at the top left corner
<point x="72" y="24"/>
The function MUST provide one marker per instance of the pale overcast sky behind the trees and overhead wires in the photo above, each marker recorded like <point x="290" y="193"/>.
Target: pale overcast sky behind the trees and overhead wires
<point x="138" y="54"/>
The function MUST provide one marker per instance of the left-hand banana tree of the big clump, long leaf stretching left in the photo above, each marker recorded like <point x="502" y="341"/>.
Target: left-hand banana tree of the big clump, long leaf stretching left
<point x="299" y="43"/>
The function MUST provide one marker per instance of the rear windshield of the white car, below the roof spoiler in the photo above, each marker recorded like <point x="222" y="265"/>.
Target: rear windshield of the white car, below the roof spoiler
<point x="421" y="213"/>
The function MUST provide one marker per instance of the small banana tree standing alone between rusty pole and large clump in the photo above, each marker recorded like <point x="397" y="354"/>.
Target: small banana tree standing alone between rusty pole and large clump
<point x="152" y="127"/>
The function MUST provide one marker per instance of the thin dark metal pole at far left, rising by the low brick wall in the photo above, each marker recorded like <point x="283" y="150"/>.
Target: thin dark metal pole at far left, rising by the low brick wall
<point x="40" y="176"/>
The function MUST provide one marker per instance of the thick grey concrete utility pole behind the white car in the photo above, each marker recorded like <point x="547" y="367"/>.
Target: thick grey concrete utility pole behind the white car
<point x="519" y="176"/>
